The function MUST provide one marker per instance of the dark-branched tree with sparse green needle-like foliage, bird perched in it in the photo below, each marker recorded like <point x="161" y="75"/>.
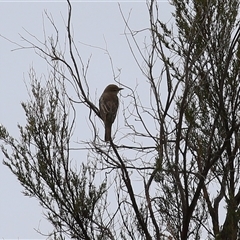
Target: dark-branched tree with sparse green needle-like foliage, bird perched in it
<point x="195" y="142"/>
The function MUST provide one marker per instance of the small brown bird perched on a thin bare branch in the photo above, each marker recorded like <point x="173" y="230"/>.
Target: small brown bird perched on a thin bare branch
<point x="108" y="106"/>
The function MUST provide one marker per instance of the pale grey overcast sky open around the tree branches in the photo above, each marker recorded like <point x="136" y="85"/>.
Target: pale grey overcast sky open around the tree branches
<point x="97" y="25"/>
